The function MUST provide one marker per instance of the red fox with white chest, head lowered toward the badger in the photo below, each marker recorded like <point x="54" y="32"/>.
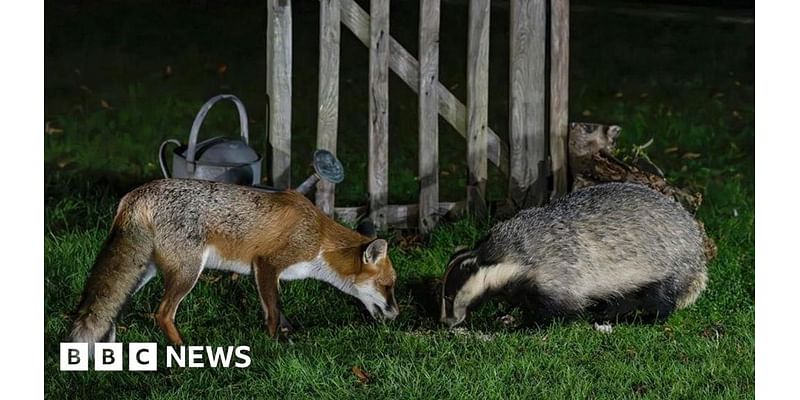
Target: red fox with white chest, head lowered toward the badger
<point x="181" y="227"/>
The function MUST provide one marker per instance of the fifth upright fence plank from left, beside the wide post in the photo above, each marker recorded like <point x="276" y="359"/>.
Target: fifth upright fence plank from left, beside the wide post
<point x="477" y="105"/>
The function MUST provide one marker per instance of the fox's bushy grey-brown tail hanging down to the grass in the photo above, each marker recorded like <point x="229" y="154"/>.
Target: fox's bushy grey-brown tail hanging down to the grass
<point x="119" y="269"/>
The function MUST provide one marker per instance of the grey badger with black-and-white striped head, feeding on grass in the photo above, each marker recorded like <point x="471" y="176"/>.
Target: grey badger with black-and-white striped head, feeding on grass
<point x="612" y="251"/>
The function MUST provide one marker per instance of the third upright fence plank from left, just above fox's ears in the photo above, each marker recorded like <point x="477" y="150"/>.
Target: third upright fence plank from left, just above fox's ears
<point x="378" y="166"/>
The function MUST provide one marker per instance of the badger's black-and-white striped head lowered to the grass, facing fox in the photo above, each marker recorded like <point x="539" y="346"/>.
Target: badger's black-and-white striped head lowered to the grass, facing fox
<point x="465" y="282"/>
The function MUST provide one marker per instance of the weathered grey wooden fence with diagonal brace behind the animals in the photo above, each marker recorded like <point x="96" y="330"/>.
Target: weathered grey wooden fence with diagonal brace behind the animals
<point x="534" y="152"/>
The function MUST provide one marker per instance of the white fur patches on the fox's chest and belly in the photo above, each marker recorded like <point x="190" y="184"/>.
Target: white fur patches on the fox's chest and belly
<point x="316" y="268"/>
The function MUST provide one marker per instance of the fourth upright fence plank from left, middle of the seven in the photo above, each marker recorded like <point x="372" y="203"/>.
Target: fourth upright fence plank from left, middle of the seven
<point x="428" y="113"/>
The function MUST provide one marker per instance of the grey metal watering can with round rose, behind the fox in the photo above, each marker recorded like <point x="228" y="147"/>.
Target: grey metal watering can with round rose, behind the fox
<point x="234" y="161"/>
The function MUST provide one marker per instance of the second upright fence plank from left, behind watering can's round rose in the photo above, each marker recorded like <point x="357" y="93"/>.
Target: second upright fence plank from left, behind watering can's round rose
<point x="328" y="98"/>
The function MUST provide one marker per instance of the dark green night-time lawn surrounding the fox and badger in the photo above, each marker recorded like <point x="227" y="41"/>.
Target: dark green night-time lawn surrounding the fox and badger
<point x="687" y="85"/>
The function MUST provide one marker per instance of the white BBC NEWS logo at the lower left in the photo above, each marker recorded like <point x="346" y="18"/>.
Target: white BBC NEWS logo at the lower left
<point x="144" y="357"/>
